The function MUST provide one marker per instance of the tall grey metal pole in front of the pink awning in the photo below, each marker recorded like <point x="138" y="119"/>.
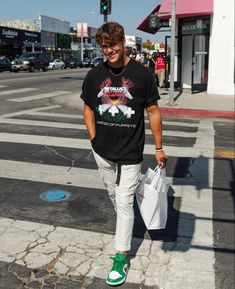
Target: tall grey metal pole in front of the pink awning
<point x="172" y="62"/>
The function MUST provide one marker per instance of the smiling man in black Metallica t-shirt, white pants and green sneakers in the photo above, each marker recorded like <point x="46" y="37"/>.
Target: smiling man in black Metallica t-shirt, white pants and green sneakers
<point x="115" y="95"/>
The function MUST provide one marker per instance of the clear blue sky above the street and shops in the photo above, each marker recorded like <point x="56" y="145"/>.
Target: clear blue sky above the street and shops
<point x="129" y="13"/>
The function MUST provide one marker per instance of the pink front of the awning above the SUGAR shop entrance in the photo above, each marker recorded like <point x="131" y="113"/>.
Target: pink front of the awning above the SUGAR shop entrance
<point x="186" y="8"/>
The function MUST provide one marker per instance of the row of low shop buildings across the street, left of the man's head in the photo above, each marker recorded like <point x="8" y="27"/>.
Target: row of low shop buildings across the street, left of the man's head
<point x="53" y="36"/>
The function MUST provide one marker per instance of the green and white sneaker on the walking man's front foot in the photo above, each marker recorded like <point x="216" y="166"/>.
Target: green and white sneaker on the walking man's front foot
<point x="118" y="273"/>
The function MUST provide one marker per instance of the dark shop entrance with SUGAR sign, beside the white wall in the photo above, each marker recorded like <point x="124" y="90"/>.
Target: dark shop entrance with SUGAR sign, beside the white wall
<point x="192" y="54"/>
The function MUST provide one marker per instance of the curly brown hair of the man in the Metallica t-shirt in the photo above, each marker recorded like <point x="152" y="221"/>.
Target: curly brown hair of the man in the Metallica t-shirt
<point x="110" y="32"/>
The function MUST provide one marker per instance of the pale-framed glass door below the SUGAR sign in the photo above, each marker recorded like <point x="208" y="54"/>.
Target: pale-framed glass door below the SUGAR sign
<point x="200" y="63"/>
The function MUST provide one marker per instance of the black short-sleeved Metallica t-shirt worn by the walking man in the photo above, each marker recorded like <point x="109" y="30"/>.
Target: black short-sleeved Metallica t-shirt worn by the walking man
<point x="118" y="102"/>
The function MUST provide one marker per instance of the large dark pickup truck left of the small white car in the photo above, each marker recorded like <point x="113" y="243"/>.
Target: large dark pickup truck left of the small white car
<point x="30" y="61"/>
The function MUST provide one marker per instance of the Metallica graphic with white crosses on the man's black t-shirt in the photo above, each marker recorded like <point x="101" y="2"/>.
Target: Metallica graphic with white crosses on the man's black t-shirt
<point x="114" y="99"/>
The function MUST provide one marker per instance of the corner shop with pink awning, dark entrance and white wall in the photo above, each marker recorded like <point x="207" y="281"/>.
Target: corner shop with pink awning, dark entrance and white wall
<point x="204" y="54"/>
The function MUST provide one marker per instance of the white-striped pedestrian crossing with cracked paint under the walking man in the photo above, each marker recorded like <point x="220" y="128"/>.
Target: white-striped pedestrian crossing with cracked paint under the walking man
<point x="47" y="148"/>
